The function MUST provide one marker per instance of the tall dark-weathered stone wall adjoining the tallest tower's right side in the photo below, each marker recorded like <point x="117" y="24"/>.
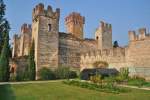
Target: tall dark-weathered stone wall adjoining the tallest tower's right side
<point x="71" y="48"/>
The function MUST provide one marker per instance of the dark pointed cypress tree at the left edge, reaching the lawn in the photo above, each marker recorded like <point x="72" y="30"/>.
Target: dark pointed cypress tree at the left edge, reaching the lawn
<point x="4" y="61"/>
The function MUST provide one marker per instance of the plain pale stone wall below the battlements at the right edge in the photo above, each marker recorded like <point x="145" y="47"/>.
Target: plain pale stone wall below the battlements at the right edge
<point x="139" y="53"/>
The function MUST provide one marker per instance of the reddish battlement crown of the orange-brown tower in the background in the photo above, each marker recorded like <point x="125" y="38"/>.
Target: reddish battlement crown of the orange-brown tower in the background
<point x="75" y="18"/>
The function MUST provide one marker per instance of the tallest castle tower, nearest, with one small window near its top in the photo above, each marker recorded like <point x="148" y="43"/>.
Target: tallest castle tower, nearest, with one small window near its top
<point x="45" y="29"/>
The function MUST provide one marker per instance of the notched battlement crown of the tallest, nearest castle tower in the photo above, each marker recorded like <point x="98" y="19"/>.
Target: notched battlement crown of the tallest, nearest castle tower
<point x="39" y="10"/>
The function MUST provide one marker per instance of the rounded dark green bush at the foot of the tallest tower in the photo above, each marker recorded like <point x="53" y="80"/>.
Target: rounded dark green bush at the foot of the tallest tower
<point x="46" y="74"/>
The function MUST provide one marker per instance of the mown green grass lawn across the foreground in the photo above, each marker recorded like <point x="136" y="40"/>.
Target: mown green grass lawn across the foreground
<point x="60" y="91"/>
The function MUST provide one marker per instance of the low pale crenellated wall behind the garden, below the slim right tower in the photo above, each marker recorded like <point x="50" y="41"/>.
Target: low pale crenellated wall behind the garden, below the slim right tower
<point x="115" y="58"/>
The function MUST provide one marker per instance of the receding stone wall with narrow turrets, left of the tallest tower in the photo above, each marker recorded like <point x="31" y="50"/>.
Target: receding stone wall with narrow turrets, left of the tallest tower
<point x="22" y="42"/>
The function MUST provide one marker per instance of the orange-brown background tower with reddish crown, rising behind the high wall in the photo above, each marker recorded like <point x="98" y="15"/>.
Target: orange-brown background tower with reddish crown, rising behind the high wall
<point x="75" y="24"/>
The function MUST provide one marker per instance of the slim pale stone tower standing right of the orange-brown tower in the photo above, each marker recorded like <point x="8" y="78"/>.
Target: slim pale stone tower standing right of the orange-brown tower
<point x="103" y="36"/>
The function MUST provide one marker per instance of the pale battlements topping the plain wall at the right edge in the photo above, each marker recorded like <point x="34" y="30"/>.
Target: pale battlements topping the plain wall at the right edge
<point x="141" y="34"/>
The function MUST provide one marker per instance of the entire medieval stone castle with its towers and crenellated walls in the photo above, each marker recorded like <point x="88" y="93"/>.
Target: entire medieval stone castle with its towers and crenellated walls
<point x="54" y="48"/>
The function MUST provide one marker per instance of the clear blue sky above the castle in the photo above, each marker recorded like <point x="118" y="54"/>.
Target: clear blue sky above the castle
<point x="124" y="15"/>
